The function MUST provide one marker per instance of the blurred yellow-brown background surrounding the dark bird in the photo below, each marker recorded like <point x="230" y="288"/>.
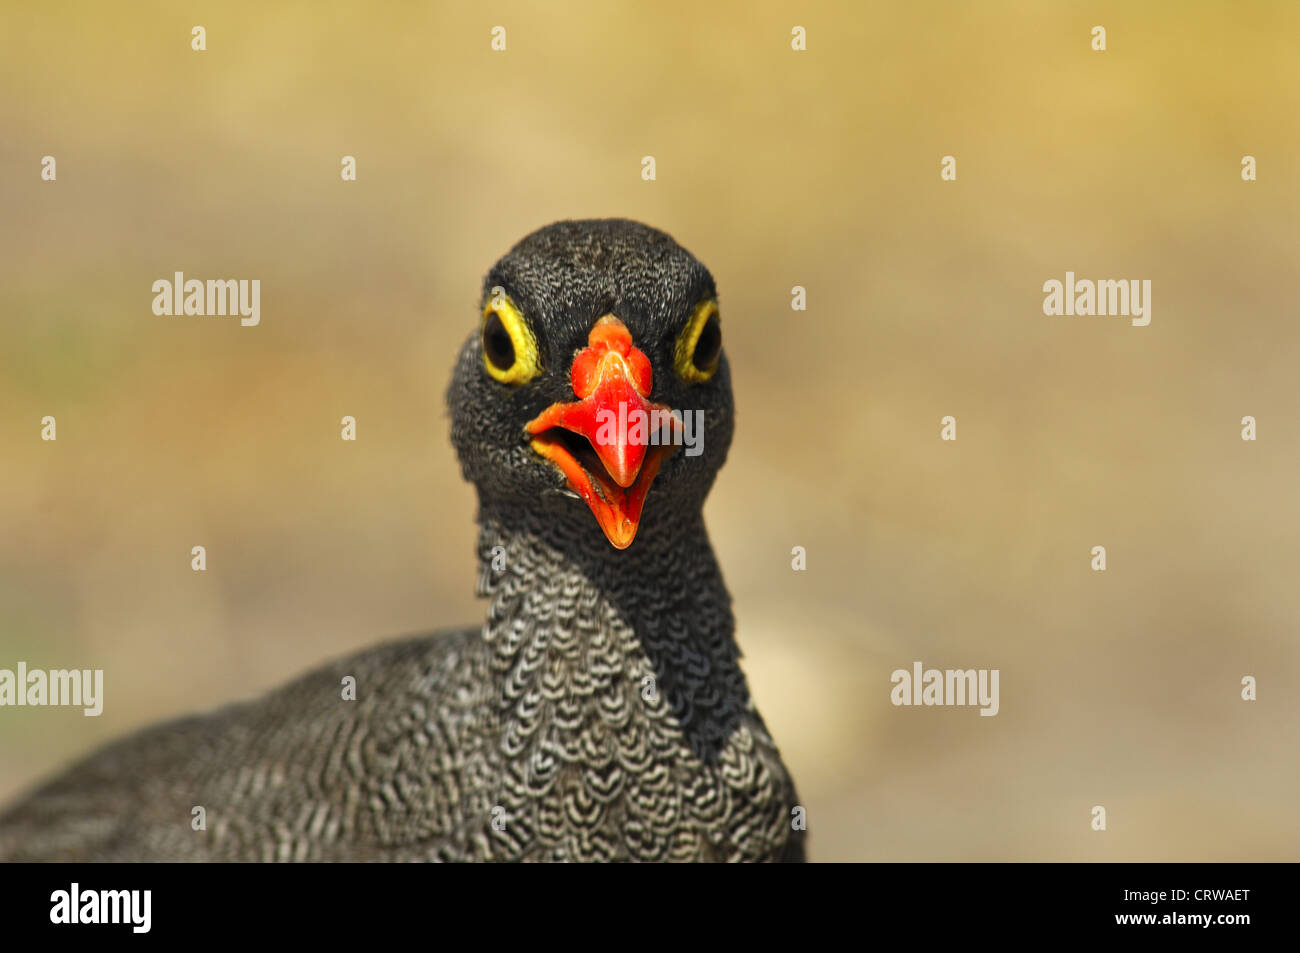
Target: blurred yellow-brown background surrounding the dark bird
<point x="818" y="168"/>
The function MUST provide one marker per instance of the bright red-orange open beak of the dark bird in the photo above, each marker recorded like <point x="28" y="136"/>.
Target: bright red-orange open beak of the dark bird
<point x="609" y="444"/>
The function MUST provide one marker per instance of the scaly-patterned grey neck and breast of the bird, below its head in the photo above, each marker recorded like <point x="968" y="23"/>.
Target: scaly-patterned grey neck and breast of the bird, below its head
<point x="625" y="727"/>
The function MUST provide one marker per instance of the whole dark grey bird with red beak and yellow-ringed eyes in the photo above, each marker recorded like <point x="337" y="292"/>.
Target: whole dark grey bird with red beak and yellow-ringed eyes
<point x="599" y="714"/>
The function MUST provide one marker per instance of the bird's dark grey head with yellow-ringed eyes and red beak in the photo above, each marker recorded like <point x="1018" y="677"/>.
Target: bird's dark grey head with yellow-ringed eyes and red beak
<point x="593" y="388"/>
